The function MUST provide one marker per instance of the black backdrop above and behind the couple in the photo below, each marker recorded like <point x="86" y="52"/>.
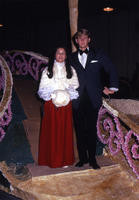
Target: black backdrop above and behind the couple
<point x="41" y="25"/>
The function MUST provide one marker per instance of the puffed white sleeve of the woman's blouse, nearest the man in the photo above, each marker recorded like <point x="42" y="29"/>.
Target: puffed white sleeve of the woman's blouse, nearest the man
<point x="73" y="85"/>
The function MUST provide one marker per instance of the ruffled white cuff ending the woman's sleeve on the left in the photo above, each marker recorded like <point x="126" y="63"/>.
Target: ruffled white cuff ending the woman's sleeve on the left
<point x="45" y="93"/>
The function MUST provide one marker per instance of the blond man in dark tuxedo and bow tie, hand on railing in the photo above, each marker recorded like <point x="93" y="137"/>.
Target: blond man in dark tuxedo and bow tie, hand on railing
<point x="89" y="65"/>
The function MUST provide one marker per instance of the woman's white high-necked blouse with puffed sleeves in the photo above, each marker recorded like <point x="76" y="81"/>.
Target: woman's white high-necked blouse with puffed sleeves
<point x="59" y="82"/>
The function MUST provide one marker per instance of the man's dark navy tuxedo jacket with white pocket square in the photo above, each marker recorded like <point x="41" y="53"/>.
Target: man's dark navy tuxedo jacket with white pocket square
<point x="91" y="76"/>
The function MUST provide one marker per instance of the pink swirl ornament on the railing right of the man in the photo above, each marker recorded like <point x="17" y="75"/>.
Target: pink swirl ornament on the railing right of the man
<point x="111" y="133"/>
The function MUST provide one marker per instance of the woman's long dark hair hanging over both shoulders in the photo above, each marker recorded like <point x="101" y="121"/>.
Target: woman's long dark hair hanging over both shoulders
<point x="51" y="64"/>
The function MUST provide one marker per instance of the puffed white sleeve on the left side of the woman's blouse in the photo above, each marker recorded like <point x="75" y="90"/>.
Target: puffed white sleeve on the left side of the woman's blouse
<point x="45" y="88"/>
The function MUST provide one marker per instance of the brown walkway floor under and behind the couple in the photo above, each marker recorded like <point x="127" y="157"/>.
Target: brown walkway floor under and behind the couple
<point x="27" y="92"/>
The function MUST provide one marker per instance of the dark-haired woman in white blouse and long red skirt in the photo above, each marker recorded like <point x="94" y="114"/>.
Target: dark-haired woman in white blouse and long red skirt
<point x="57" y="88"/>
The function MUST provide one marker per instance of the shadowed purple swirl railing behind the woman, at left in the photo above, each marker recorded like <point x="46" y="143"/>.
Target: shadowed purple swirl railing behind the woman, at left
<point x="25" y="62"/>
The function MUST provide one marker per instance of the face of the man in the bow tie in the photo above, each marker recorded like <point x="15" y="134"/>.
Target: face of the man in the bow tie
<point x="83" y="41"/>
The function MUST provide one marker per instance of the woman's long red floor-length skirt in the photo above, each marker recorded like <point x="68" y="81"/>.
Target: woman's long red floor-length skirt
<point x="56" y="137"/>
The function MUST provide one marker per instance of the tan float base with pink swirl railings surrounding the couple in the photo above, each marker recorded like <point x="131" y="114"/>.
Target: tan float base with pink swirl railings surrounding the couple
<point x="118" y="129"/>
